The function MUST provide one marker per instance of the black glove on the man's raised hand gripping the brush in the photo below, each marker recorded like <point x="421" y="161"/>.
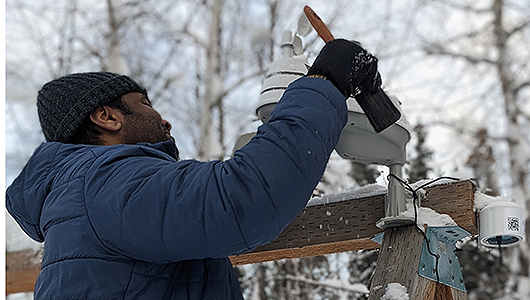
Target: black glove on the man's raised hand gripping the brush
<point x="348" y="66"/>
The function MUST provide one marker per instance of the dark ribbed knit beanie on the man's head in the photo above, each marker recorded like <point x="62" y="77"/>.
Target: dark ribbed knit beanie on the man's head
<point x="65" y="103"/>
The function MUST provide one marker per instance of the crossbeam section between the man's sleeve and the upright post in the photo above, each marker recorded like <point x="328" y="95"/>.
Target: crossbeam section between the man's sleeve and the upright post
<point x="322" y="229"/>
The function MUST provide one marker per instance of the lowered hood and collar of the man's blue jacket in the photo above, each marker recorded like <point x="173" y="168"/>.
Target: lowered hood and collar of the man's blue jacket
<point x="27" y="194"/>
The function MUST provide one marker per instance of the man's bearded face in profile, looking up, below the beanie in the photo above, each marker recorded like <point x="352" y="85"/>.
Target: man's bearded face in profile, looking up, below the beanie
<point x="144" y="124"/>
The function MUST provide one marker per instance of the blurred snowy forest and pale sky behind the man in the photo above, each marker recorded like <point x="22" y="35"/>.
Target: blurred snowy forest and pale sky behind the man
<point x="460" y="68"/>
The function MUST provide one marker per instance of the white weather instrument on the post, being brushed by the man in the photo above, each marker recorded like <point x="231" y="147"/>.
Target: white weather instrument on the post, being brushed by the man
<point x="359" y="141"/>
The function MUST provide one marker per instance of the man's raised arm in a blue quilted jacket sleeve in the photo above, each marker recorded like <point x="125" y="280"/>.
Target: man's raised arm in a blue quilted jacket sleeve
<point x="166" y="212"/>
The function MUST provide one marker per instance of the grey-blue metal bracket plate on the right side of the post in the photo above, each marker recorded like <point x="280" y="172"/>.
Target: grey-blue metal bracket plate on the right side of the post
<point x="441" y="241"/>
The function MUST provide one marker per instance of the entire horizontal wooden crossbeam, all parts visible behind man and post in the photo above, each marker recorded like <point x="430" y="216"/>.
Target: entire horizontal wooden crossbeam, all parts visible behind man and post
<point x="343" y="223"/>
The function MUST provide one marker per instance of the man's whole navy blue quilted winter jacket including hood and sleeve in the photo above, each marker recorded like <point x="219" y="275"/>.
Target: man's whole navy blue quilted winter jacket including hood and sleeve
<point x="132" y="222"/>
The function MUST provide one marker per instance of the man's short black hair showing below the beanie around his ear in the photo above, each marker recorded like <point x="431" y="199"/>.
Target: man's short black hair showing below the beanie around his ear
<point x="89" y="132"/>
